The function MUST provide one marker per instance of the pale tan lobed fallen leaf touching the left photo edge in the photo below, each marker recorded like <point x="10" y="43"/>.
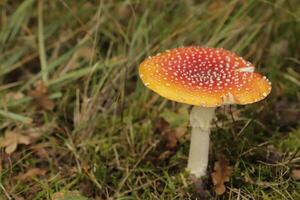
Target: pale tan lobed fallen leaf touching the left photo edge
<point x="11" y="140"/>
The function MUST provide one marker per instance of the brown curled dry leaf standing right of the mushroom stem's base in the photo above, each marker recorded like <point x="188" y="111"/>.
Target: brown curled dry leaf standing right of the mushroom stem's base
<point x="221" y="174"/>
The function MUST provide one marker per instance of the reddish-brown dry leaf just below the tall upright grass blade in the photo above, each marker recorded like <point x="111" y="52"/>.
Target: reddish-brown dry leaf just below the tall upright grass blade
<point x="40" y="96"/>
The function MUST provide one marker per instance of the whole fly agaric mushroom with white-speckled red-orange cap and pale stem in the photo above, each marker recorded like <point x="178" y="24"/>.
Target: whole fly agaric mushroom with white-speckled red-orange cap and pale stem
<point x="205" y="78"/>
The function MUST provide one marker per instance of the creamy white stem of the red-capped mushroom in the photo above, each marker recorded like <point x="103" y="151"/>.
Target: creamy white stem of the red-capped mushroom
<point x="200" y="119"/>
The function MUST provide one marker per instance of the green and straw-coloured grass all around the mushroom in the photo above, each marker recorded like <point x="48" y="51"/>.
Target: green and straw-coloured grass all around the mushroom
<point x="105" y="136"/>
